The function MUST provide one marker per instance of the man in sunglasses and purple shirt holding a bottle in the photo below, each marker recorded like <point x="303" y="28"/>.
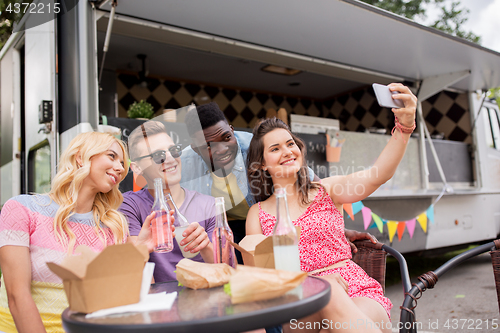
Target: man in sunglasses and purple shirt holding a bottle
<point x="153" y="154"/>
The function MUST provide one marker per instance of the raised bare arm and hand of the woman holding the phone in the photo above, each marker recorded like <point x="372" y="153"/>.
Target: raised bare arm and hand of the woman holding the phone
<point x="359" y="185"/>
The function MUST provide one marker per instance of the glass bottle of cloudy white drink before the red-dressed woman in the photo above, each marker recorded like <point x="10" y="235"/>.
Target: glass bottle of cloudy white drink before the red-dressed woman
<point x="285" y="239"/>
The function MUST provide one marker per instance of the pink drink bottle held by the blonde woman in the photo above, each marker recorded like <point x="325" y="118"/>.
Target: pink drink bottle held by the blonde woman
<point x="162" y="233"/>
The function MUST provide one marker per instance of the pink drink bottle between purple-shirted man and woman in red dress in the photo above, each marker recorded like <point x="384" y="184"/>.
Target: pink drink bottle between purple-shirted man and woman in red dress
<point x="223" y="250"/>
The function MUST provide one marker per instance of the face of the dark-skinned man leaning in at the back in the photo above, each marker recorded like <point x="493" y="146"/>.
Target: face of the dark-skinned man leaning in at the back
<point x="217" y="146"/>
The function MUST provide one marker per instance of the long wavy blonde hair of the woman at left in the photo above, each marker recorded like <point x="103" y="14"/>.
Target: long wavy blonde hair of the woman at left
<point x="69" y="180"/>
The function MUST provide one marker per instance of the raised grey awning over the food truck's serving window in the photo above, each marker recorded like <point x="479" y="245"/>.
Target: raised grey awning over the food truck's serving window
<point x="347" y="42"/>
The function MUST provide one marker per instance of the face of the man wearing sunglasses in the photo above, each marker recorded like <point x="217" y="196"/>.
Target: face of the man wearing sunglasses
<point x="169" y="170"/>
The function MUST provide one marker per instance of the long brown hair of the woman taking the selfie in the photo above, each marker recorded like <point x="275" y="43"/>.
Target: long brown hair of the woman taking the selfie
<point x="261" y="183"/>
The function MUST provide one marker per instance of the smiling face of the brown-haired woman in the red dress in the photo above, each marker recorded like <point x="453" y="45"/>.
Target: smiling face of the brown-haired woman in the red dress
<point x="282" y="156"/>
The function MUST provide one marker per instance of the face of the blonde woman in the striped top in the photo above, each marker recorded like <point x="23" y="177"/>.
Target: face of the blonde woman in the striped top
<point x="106" y="170"/>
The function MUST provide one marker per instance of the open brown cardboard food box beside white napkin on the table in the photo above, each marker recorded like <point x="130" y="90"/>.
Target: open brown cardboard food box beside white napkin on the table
<point x="94" y="281"/>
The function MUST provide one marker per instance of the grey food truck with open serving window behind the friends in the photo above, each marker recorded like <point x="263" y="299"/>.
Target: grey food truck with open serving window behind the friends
<point x="84" y="66"/>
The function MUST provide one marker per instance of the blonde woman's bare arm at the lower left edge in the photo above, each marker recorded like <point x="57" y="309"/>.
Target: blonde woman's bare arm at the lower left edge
<point x="16" y="269"/>
